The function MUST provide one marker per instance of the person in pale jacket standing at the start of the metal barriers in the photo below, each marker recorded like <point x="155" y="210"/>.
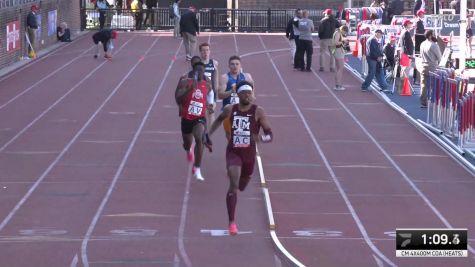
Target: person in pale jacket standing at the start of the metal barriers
<point x="431" y="55"/>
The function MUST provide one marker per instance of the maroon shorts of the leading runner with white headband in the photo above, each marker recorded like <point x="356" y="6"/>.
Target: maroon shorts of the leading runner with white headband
<point x="244" y="157"/>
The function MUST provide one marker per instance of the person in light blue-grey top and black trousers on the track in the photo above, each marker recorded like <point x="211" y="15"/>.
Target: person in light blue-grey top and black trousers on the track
<point x="306" y="28"/>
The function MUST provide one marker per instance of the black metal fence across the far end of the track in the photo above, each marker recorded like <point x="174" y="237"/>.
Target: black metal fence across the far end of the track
<point x="213" y="19"/>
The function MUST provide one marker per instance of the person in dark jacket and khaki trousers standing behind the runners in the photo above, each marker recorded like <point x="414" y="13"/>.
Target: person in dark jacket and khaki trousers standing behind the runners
<point x="189" y="29"/>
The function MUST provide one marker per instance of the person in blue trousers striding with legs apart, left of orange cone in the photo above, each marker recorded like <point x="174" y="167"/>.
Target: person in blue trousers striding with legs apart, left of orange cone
<point x="374" y="57"/>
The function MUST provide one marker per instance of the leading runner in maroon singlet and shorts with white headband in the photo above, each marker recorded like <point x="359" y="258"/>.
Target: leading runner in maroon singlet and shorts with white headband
<point x="246" y="119"/>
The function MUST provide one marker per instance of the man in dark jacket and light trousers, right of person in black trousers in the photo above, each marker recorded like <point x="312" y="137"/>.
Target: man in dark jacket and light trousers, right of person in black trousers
<point x="325" y="32"/>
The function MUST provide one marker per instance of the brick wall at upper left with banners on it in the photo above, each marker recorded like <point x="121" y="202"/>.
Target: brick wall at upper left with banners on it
<point x="67" y="10"/>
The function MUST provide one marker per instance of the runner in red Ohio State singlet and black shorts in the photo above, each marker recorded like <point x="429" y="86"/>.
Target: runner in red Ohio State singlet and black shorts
<point x="192" y="96"/>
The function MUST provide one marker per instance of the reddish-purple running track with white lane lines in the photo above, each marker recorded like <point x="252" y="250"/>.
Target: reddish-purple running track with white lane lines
<point x="92" y="172"/>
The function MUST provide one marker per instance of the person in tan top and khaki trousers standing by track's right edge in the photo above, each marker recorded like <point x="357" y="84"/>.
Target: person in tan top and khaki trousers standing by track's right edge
<point x="339" y="44"/>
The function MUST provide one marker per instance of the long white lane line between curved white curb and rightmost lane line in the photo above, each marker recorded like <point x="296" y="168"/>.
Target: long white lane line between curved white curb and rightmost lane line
<point x="328" y="166"/>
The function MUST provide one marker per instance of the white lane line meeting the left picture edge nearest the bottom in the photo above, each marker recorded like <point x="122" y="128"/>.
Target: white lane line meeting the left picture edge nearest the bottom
<point x="63" y="152"/>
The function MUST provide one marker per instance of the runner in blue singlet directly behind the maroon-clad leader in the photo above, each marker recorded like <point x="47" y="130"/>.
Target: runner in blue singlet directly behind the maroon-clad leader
<point x="227" y="86"/>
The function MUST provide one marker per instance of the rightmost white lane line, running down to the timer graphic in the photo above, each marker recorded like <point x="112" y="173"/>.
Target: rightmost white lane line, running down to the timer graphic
<point x="390" y="159"/>
